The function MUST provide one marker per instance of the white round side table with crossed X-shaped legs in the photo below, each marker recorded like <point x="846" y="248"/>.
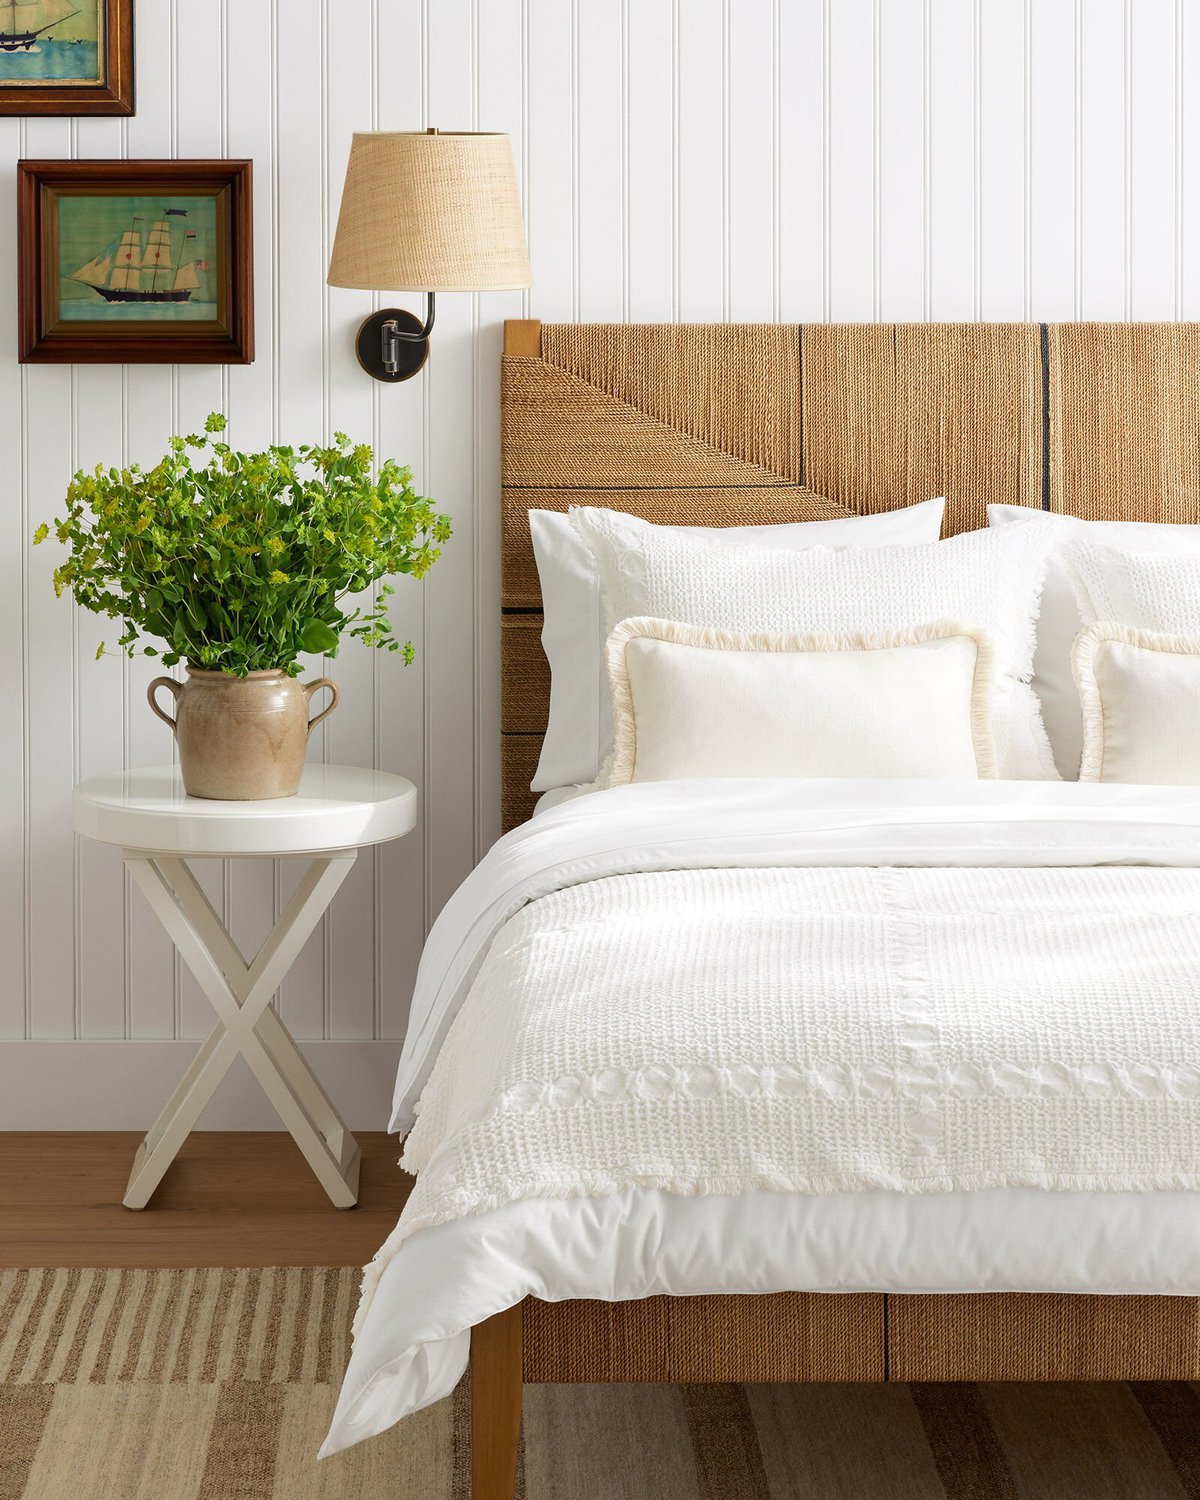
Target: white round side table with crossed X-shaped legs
<point x="338" y="811"/>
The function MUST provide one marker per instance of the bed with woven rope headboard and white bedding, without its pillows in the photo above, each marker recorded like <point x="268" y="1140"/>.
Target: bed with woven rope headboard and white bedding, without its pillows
<point x="982" y="1276"/>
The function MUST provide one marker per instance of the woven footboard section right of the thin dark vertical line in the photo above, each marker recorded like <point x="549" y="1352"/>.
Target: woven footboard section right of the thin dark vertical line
<point x="1043" y="1337"/>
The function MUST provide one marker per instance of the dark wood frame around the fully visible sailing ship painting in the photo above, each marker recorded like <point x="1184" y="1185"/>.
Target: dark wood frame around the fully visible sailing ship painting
<point x="46" y="338"/>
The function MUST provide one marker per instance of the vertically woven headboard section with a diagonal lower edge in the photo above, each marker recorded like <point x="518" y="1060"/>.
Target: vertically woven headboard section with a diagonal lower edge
<point x="731" y="386"/>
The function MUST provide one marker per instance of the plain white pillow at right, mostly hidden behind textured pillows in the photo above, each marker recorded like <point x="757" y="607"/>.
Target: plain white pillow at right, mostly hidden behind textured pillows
<point x="1061" y="619"/>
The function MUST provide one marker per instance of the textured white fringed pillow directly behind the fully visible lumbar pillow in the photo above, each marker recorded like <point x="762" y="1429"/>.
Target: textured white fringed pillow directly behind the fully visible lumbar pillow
<point x="991" y="578"/>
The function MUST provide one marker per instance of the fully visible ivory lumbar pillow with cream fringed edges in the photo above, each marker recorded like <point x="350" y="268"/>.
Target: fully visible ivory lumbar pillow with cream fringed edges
<point x="692" y="701"/>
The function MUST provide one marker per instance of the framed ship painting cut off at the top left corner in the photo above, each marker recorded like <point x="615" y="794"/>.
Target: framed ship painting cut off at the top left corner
<point x="67" y="56"/>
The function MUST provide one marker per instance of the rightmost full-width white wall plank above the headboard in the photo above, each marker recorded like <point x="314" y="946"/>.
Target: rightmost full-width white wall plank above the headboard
<point x="1153" y="112"/>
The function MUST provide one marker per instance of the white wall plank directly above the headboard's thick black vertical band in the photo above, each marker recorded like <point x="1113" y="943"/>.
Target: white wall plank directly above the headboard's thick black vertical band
<point x="1051" y="203"/>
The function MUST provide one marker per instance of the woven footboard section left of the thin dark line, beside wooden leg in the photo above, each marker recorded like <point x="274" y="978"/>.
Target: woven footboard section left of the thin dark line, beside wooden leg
<point x="791" y="1336"/>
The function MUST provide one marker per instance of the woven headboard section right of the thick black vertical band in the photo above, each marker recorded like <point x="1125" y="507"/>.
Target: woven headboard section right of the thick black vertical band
<point x="1126" y="421"/>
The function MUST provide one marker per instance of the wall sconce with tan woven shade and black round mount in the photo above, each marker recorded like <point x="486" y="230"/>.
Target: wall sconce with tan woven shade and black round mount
<point x="425" y="211"/>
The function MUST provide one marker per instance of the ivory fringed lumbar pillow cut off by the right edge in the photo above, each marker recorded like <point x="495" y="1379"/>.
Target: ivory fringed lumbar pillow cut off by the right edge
<point x="1141" y="698"/>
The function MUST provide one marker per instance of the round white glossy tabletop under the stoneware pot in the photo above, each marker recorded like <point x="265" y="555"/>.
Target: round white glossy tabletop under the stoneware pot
<point x="337" y="808"/>
